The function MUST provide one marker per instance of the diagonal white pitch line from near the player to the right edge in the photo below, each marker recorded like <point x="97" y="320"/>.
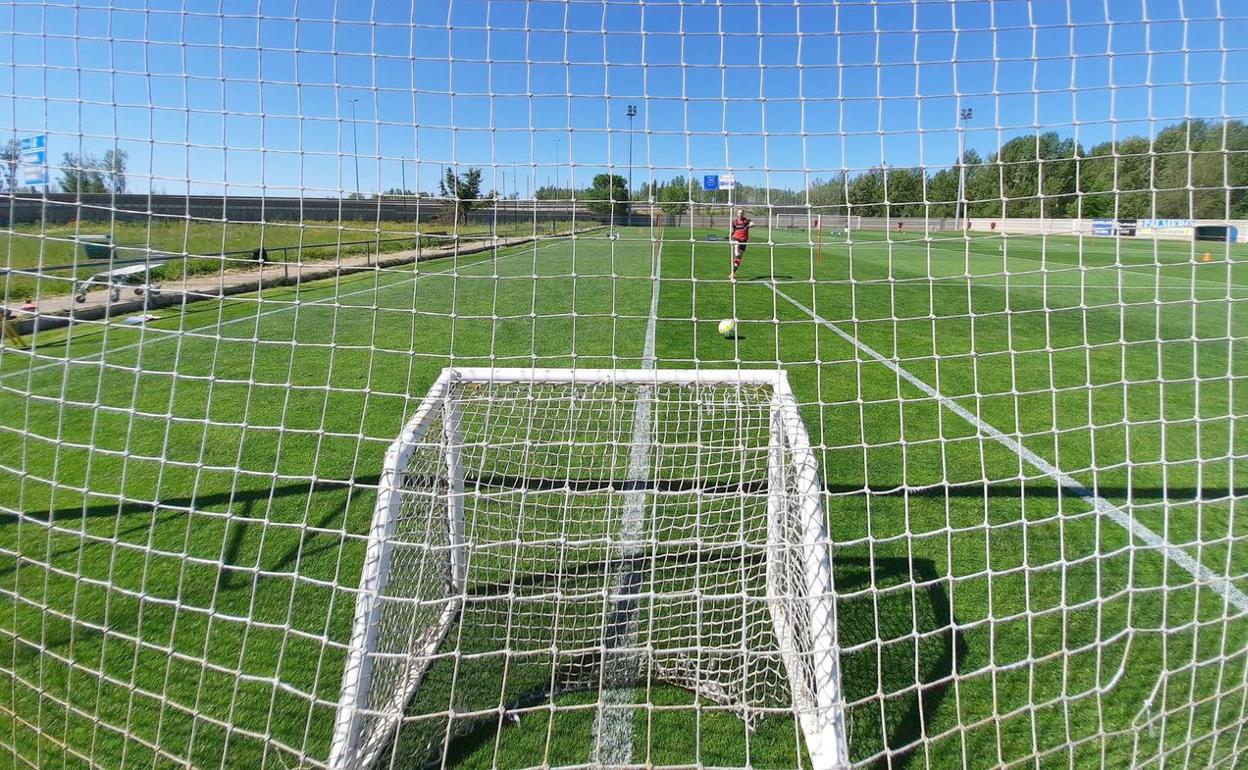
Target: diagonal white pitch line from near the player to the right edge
<point x="1177" y="556"/>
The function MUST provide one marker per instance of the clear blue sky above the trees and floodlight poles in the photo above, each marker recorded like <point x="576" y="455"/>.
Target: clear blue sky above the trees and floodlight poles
<point x="249" y="97"/>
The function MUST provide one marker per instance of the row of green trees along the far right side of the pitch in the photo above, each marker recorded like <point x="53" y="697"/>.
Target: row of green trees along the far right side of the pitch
<point x="1197" y="169"/>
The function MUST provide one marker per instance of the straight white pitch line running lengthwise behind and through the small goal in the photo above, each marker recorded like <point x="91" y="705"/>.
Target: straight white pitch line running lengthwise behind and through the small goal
<point x="613" y="726"/>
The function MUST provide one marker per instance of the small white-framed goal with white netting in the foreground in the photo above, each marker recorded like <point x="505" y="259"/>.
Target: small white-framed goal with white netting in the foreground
<point x="501" y="502"/>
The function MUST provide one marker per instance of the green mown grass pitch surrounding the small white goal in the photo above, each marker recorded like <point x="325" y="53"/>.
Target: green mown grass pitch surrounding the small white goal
<point x="185" y="505"/>
